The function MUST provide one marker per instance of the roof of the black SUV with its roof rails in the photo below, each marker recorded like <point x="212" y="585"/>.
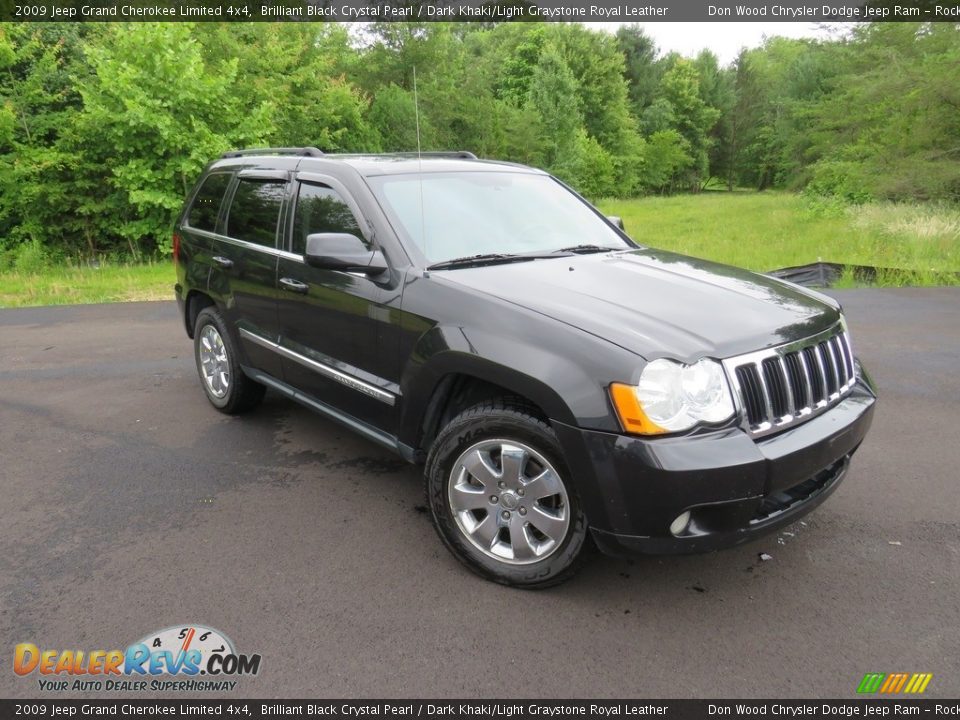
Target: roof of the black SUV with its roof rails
<point x="386" y="163"/>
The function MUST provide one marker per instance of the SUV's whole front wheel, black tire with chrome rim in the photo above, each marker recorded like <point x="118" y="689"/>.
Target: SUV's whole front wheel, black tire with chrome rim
<point x="501" y="499"/>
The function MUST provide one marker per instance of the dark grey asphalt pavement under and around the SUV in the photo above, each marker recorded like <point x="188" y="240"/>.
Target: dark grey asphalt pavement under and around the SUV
<point x="129" y="505"/>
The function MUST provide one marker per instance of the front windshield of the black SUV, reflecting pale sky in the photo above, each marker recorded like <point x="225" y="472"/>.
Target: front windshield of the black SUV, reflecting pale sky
<point x="475" y="213"/>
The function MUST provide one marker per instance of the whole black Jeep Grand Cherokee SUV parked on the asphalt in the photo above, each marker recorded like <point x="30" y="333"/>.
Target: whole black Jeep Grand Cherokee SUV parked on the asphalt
<point x="557" y="379"/>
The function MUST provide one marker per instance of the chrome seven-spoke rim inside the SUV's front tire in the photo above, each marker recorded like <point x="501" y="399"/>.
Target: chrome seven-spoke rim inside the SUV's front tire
<point x="509" y="501"/>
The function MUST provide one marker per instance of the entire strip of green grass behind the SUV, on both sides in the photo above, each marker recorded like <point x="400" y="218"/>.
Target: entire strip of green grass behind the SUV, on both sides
<point x="759" y="231"/>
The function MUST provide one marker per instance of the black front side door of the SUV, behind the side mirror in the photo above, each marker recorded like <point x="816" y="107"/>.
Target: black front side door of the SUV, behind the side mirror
<point x="329" y="319"/>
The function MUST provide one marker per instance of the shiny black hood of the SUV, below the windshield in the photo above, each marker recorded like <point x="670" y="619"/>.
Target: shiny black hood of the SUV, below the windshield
<point x="657" y="303"/>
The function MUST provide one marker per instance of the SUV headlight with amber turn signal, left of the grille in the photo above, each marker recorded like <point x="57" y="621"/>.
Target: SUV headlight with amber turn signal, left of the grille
<point x="672" y="397"/>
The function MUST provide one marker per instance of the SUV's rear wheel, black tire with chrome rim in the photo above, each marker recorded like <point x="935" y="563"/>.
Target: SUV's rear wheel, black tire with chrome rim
<point x="239" y="393"/>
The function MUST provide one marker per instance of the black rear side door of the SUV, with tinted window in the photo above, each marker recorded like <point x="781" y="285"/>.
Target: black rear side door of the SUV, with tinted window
<point x="245" y="263"/>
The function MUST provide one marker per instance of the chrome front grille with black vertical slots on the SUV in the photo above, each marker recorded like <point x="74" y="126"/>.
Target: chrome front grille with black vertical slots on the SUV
<point x="785" y="385"/>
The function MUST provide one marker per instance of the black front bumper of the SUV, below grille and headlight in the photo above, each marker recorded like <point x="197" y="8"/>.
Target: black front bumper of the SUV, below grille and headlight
<point x="736" y="488"/>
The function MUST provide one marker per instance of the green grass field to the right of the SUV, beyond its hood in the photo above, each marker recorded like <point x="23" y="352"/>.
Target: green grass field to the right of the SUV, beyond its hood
<point x="765" y="231"/>
